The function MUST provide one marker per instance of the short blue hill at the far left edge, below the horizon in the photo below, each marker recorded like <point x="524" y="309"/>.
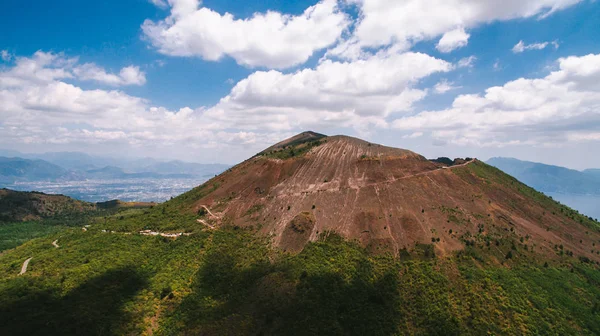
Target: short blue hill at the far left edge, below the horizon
<point x="17" y="169"/>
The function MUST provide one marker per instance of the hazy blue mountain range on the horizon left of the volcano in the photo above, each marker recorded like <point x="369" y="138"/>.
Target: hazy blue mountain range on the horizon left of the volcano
<point x="63" y="166"/>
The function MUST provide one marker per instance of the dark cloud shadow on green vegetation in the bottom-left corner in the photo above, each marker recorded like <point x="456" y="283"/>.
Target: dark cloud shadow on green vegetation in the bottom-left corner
<point x="94" y="308"/>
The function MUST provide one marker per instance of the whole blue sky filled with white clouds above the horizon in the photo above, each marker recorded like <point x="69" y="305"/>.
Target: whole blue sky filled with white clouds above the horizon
<point x="181" y="79"/>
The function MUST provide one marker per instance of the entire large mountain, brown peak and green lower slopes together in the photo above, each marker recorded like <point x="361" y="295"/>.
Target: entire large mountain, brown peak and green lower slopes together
<point x="318" y="235"/>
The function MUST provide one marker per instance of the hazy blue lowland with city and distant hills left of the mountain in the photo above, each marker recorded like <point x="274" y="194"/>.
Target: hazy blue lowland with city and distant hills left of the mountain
<point x="94" y="179"/>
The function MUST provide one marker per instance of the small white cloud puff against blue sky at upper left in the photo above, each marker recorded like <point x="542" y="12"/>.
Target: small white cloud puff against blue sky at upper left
<point x="130" y="75"/>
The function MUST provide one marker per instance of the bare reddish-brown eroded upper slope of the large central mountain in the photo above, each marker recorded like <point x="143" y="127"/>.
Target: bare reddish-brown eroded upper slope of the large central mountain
<point x="387" y="198"/>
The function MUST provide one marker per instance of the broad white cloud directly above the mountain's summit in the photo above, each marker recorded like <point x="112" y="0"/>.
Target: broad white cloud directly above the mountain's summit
<point x="342" y="94"/>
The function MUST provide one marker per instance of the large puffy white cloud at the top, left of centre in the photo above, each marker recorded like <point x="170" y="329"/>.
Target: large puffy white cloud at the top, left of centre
<point x="270" y="39"/>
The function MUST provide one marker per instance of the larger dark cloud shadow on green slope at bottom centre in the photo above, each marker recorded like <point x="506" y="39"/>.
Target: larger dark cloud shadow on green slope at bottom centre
<point x="268" y="299"/>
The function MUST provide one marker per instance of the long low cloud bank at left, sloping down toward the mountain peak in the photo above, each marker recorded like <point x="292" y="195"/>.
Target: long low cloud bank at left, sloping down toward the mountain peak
<point x="39" y="106"/>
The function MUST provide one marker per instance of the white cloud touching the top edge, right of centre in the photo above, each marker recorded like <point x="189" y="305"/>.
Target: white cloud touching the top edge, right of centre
<point x="402" y="23"/>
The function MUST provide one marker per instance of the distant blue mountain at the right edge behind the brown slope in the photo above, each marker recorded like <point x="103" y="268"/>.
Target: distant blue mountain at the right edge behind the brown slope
<point x="549" y="178"/>
